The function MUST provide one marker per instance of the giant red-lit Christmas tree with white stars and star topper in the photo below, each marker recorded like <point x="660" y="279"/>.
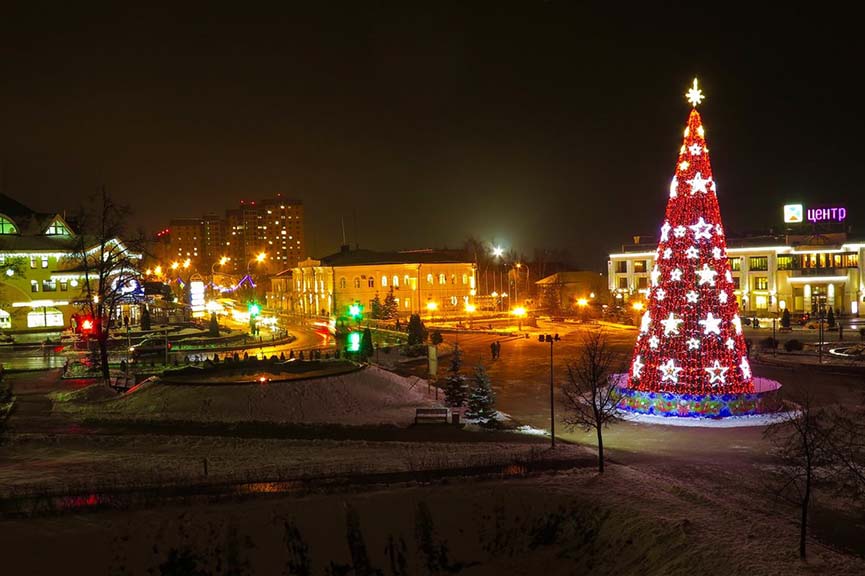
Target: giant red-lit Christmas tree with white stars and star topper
<point x="690" y="339"/>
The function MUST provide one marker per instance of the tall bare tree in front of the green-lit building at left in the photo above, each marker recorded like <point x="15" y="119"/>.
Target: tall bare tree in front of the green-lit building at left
<point x="107" y="264"/>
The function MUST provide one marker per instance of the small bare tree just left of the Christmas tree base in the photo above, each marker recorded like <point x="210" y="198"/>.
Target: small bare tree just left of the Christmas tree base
<point x="590" y="393"/>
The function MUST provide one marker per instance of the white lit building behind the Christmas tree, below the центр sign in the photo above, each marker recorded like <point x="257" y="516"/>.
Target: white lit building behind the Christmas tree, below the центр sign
<point x="799" y="272"/>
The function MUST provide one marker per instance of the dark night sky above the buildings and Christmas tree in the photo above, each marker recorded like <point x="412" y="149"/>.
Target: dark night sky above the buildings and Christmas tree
<point x="535" y="124"/>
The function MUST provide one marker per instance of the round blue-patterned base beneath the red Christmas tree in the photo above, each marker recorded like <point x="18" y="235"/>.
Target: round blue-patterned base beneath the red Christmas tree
<point x="747" y="408"/>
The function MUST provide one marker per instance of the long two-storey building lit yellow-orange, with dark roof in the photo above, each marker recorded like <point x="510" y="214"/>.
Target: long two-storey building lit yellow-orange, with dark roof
<point x="424" y="282"/>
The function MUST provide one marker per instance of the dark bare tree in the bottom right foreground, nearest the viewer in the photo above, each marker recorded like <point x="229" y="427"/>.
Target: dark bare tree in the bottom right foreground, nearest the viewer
<point x="801" y="442"/>
